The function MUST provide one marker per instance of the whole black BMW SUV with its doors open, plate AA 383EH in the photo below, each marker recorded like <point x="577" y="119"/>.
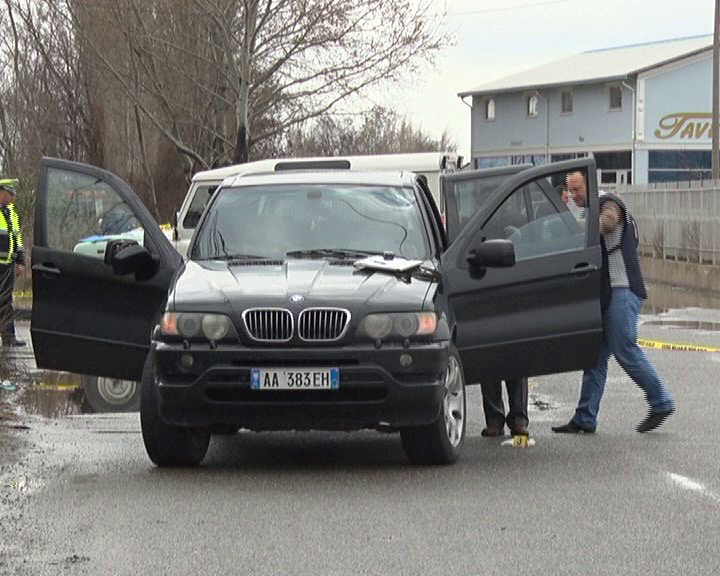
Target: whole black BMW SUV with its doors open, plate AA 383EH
<point x="327" y="300"/>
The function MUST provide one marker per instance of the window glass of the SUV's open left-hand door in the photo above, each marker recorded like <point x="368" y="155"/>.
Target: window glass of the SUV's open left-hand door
<point x="83" y="213"/>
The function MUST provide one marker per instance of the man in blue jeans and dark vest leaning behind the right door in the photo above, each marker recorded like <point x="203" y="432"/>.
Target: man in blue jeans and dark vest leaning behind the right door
<point x="622" y="295"/>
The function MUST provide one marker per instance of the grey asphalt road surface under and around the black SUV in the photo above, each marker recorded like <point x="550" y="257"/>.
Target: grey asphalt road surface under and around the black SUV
<point x="82" y="497"/>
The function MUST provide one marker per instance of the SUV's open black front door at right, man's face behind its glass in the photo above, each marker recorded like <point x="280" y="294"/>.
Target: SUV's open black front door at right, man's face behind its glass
<point x="521" y="278"/>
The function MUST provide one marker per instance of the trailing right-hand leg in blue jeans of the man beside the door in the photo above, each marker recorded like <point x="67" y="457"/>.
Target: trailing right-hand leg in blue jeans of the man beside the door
<point x="633" y="360"/>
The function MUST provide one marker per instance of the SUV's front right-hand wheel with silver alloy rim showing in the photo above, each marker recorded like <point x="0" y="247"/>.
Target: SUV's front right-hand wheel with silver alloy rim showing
<point x="441" y="441"/>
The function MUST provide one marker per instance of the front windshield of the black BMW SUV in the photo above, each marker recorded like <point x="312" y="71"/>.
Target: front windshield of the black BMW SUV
<point x="311" y="220"/>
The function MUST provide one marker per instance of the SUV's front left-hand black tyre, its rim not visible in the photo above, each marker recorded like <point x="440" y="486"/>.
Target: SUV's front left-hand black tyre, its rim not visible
<point x="167" y="445"/>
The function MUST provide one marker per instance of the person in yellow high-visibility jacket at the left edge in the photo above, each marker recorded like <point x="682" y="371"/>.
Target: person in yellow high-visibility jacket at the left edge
<point x="12" y="259"/>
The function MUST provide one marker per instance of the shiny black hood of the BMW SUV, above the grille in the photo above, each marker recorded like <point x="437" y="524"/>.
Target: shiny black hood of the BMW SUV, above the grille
<point x="214" y="285"/>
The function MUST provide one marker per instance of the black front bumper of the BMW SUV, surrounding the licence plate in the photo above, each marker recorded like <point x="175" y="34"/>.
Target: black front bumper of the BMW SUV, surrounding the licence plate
<point x="375" y="390"/>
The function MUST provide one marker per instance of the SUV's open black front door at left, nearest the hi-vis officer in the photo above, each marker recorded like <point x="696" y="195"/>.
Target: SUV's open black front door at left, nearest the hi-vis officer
<point x="85" y="318"/>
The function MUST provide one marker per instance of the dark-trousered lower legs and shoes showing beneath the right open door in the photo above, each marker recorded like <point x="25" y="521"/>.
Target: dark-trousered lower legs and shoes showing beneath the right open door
<point x="495" y="418"/>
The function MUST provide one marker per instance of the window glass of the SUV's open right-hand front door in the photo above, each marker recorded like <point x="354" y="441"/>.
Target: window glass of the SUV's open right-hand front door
<point x="537" y="220"/>
